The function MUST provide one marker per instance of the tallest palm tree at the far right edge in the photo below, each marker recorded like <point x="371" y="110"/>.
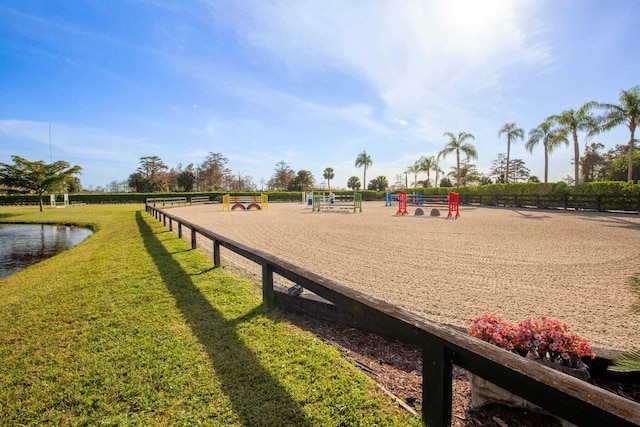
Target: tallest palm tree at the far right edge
<point x="628" y="113"/>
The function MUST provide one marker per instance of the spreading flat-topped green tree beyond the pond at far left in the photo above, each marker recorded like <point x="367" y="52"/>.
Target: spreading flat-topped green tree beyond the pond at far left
<point x="37" y="177"/>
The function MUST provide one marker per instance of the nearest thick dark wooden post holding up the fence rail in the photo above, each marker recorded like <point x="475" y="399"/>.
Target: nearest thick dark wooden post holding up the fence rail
<point x="437" y="385"/>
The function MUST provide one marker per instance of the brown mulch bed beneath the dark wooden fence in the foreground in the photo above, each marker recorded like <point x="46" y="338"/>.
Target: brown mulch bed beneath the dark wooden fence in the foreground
<point x="397" y="369"/>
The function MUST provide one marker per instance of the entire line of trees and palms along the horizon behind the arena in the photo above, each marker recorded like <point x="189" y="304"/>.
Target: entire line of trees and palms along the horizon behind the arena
<point x="592" y="119"/>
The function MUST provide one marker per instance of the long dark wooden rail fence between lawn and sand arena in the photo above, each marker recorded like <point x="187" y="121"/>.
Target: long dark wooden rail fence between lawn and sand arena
<point x="442" y="346"/>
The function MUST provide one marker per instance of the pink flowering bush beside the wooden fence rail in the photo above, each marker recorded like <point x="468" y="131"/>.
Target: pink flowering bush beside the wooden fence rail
<point x="544" y="338"/>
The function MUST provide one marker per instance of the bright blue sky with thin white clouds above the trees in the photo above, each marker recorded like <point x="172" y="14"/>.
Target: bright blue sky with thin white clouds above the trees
<point x="310" y="83"/>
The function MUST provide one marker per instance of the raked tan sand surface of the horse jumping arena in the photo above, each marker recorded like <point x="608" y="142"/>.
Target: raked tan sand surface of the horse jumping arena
<point x="515" y="263"/>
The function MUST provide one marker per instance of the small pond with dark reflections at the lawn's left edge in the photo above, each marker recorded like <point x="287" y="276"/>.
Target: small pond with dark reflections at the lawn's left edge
<point x="22" y="245"/>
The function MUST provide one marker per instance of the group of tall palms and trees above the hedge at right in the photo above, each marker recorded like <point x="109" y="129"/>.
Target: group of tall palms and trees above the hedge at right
<point x="593" y="118"/>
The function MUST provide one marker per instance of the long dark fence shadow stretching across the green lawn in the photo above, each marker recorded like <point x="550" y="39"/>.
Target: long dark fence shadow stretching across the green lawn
<point x="257" y="398"/>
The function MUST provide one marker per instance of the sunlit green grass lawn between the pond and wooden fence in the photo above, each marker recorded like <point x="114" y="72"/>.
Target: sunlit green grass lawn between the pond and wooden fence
<point x="132" y="327"/>
